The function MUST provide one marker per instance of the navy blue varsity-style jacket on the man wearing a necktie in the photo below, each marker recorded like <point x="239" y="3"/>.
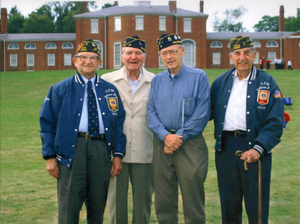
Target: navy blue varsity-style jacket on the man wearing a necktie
<point x="60" y="116"/>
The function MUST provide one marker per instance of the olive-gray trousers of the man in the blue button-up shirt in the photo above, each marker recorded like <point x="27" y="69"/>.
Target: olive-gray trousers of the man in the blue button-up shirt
<point x="187" y="167"/>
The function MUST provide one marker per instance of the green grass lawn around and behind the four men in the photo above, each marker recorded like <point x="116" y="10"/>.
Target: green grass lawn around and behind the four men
<point x="28" y="193"/>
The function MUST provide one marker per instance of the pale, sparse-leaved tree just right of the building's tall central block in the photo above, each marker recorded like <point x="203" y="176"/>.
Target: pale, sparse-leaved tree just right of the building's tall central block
<point x="231" y="22"/>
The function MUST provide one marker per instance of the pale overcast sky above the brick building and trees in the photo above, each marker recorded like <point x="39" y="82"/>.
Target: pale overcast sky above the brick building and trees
<point x="256" y="8"/>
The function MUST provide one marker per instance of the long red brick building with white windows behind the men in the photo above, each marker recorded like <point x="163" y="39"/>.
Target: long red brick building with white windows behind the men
<point x="109" y="27"/>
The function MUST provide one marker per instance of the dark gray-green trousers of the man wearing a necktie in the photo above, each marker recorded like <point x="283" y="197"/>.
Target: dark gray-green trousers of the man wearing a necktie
<point x="86" y="181"/>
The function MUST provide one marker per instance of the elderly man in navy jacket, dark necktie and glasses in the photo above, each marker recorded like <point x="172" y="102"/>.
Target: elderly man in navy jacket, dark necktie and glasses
<point x="81" y="123"/>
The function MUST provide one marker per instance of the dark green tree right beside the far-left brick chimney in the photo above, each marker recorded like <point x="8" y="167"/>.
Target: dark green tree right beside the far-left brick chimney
<point x="15" y="21"/>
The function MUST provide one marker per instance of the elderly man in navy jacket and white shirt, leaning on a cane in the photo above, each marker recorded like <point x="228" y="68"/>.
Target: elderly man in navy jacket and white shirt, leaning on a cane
<point x="247" y="108"/>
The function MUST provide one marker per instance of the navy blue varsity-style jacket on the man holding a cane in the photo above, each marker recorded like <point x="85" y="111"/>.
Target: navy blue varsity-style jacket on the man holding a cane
<point x="265" y="109"/>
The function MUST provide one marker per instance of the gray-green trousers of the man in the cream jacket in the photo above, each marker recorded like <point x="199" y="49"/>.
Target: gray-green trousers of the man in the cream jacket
<point x="141" y="179"/>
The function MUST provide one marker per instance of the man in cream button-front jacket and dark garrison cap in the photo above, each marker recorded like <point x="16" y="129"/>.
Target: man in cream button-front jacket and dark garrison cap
<point x="133" y="83"/>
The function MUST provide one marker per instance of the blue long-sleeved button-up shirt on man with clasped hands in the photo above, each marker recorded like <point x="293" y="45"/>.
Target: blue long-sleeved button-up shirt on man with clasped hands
<point x="181" y="103"/>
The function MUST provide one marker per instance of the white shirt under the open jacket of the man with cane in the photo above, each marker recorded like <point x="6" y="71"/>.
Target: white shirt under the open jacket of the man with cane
<point x="235" y="117"/>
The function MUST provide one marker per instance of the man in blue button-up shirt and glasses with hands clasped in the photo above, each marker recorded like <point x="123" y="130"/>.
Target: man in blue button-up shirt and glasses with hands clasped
<point x="178" y="111"/>
